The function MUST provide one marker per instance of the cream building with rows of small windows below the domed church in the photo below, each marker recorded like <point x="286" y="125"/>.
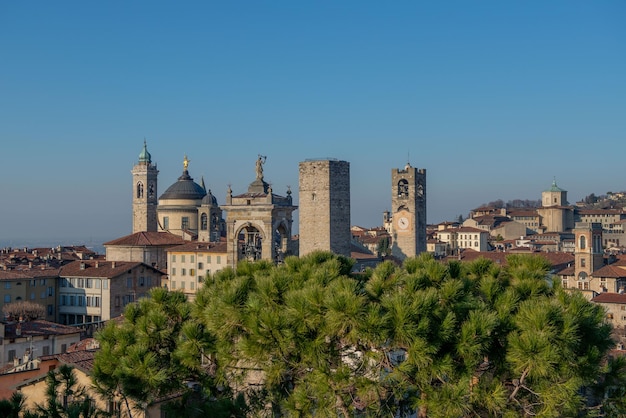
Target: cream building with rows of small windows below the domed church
<point x="191" y="264"/>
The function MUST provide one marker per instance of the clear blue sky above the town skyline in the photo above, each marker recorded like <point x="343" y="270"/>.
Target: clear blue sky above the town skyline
<point x="495" y="99"/>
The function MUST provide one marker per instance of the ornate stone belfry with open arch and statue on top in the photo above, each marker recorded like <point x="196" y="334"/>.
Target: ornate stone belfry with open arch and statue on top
<point x="258" y="223"/>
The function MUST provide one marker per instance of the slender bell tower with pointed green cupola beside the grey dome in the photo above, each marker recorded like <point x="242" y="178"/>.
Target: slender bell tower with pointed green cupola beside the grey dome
<point x="145" y="193"/>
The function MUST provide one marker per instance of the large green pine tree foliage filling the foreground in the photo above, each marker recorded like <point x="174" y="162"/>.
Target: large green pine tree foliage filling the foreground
<point x="306" y="338"/>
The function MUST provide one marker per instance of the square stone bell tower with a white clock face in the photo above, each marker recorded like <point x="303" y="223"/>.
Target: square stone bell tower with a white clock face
<point x="408" y="211"/>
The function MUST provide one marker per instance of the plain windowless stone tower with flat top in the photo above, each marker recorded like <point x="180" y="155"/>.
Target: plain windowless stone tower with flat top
<point x="325" y="206"/>
